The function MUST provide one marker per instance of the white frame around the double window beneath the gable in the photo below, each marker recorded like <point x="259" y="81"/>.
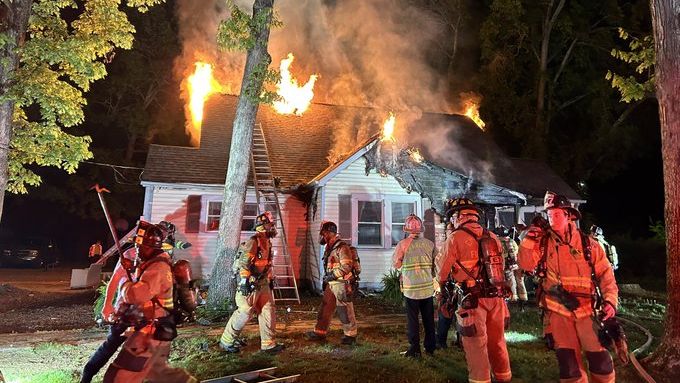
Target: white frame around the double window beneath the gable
<point x="386" y="224"/>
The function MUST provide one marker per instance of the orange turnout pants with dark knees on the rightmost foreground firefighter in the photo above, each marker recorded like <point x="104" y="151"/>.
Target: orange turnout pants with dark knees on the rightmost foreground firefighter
<point x="573" y="336"/>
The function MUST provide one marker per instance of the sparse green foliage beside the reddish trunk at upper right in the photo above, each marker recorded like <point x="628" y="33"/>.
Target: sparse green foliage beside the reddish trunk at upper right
<point x="641" y="54"/>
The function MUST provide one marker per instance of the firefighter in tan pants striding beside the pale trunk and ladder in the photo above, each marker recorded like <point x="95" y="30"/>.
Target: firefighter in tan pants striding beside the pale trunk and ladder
<point x="253" y="267"/>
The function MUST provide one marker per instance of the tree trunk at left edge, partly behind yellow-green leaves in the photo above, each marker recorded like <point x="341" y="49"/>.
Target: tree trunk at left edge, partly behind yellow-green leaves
<point x="14" y="23"/>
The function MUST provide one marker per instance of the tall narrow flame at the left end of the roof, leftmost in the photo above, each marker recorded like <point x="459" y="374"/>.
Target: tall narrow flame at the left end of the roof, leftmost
<point x="200" y="84"/>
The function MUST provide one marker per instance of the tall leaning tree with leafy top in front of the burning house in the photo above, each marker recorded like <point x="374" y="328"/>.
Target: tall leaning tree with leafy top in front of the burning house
<point x="251" y="34"/>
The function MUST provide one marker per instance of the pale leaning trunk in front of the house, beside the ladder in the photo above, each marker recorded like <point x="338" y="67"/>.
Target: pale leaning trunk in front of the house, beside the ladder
<point x="221" y="285"/>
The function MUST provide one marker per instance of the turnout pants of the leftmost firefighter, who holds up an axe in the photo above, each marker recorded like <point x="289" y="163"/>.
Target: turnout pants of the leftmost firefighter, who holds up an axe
<point x="145" y="359"/>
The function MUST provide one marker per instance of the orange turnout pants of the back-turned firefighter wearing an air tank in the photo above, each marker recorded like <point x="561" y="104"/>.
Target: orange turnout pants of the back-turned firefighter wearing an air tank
<point x="482" y="332"/>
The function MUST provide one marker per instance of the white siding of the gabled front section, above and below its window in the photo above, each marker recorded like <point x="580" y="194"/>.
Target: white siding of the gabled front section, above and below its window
<point x="353" y="180"/>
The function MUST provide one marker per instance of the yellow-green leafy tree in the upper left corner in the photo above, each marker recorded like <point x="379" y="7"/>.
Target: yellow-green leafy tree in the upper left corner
<point x="50" y="53"/>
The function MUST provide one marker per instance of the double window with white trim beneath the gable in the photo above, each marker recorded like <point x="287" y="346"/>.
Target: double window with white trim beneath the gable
<point x="378" y="220"/>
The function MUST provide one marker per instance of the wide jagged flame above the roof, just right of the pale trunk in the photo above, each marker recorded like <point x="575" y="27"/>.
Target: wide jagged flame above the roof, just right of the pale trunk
<point x="294" y="99"/>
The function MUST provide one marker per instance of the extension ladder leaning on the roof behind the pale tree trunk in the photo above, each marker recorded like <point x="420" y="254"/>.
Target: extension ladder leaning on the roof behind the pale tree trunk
<point x="285" y="286"/>
